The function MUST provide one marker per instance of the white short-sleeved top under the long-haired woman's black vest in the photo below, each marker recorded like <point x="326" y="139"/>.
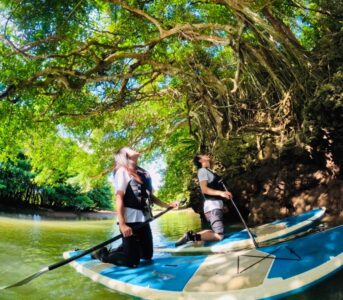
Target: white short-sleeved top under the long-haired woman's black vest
<point x="120" y="182"/>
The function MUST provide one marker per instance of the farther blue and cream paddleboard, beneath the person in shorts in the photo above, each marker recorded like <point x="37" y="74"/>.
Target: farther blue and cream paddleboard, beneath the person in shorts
<point x="240" y="240"/>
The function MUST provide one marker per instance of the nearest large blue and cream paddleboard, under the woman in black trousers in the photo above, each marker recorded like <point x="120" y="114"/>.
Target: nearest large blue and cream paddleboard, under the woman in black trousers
<point x="269" y="272"/>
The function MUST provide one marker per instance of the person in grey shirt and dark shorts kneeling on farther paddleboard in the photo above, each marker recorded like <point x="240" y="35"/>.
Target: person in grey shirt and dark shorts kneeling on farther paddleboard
<point x="214" y="193"/>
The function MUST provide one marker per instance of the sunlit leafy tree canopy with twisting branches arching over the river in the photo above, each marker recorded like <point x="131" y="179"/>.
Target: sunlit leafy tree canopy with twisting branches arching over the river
<point x="241" y="79"/>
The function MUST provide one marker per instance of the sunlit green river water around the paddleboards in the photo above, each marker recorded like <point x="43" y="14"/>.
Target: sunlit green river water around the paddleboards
<point x="27" y="245"/>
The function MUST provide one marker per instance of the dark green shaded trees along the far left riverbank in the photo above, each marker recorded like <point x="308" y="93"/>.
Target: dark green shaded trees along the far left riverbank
<point x="17" y="188"/>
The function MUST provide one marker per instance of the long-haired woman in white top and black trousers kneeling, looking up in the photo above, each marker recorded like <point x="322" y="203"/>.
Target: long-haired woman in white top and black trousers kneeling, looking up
<point x="134" y="193"/>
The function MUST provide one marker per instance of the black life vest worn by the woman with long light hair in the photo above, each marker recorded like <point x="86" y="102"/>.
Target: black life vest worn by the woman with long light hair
<point x="137" y="194"/>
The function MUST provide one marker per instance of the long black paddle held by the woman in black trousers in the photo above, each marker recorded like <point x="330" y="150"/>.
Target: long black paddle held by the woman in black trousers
<point x="85" y="252"/>
